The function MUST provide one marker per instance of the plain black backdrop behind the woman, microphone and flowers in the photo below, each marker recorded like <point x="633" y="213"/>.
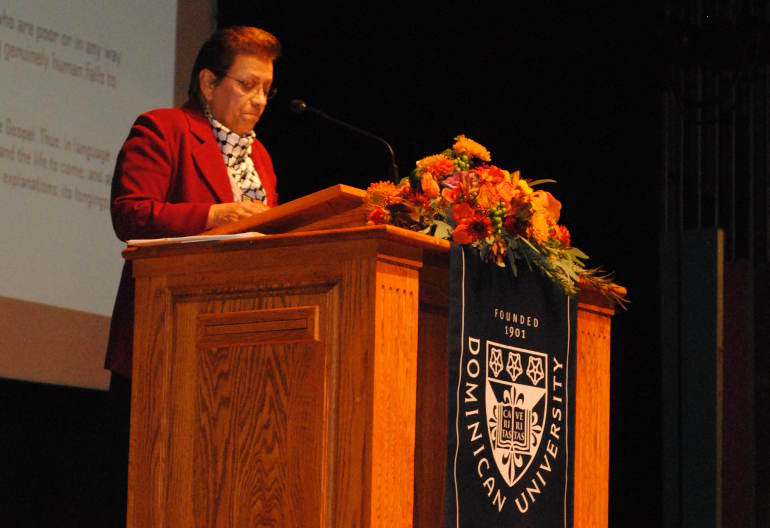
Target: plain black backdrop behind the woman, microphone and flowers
<point x="570" y="92"/>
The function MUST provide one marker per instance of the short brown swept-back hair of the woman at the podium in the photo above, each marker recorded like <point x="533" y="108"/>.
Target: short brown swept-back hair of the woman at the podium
<point x="219" y="51"/>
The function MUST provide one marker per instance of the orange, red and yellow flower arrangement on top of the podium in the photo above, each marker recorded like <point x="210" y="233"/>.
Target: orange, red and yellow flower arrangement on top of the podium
<point x="460" y="195"/>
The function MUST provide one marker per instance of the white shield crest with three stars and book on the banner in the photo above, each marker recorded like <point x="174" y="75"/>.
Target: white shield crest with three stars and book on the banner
<point x="516" y="406"/>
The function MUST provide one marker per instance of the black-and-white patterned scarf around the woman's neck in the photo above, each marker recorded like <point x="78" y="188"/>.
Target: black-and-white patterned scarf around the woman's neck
<point x="236" y="151"/>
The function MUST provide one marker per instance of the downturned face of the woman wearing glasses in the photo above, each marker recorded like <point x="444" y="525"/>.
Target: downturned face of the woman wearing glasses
<point x="239" y="98"/>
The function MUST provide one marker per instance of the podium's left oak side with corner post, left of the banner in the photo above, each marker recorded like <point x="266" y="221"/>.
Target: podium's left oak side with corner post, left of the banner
<point x="264" y="394"/>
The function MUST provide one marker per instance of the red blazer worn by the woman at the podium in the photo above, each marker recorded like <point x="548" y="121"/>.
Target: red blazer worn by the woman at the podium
<point x="168" y="173"/>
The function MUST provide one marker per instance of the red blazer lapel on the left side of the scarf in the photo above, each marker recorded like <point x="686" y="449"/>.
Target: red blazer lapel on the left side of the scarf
<point x="207" y="156"/>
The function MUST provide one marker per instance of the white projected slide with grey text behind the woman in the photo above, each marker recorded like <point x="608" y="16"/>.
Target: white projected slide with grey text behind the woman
<point x="73" y="77"/>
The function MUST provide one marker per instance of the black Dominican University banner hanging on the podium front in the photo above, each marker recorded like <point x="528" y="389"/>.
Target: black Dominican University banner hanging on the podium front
<point x="511" y="397"/>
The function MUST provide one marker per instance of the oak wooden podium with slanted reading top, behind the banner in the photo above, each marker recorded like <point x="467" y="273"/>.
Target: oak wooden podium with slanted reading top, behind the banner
<point x="300" y="379"/>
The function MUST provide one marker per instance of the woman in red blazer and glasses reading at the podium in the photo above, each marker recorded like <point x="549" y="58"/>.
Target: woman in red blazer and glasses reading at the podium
<point x="184" y="170"/>
